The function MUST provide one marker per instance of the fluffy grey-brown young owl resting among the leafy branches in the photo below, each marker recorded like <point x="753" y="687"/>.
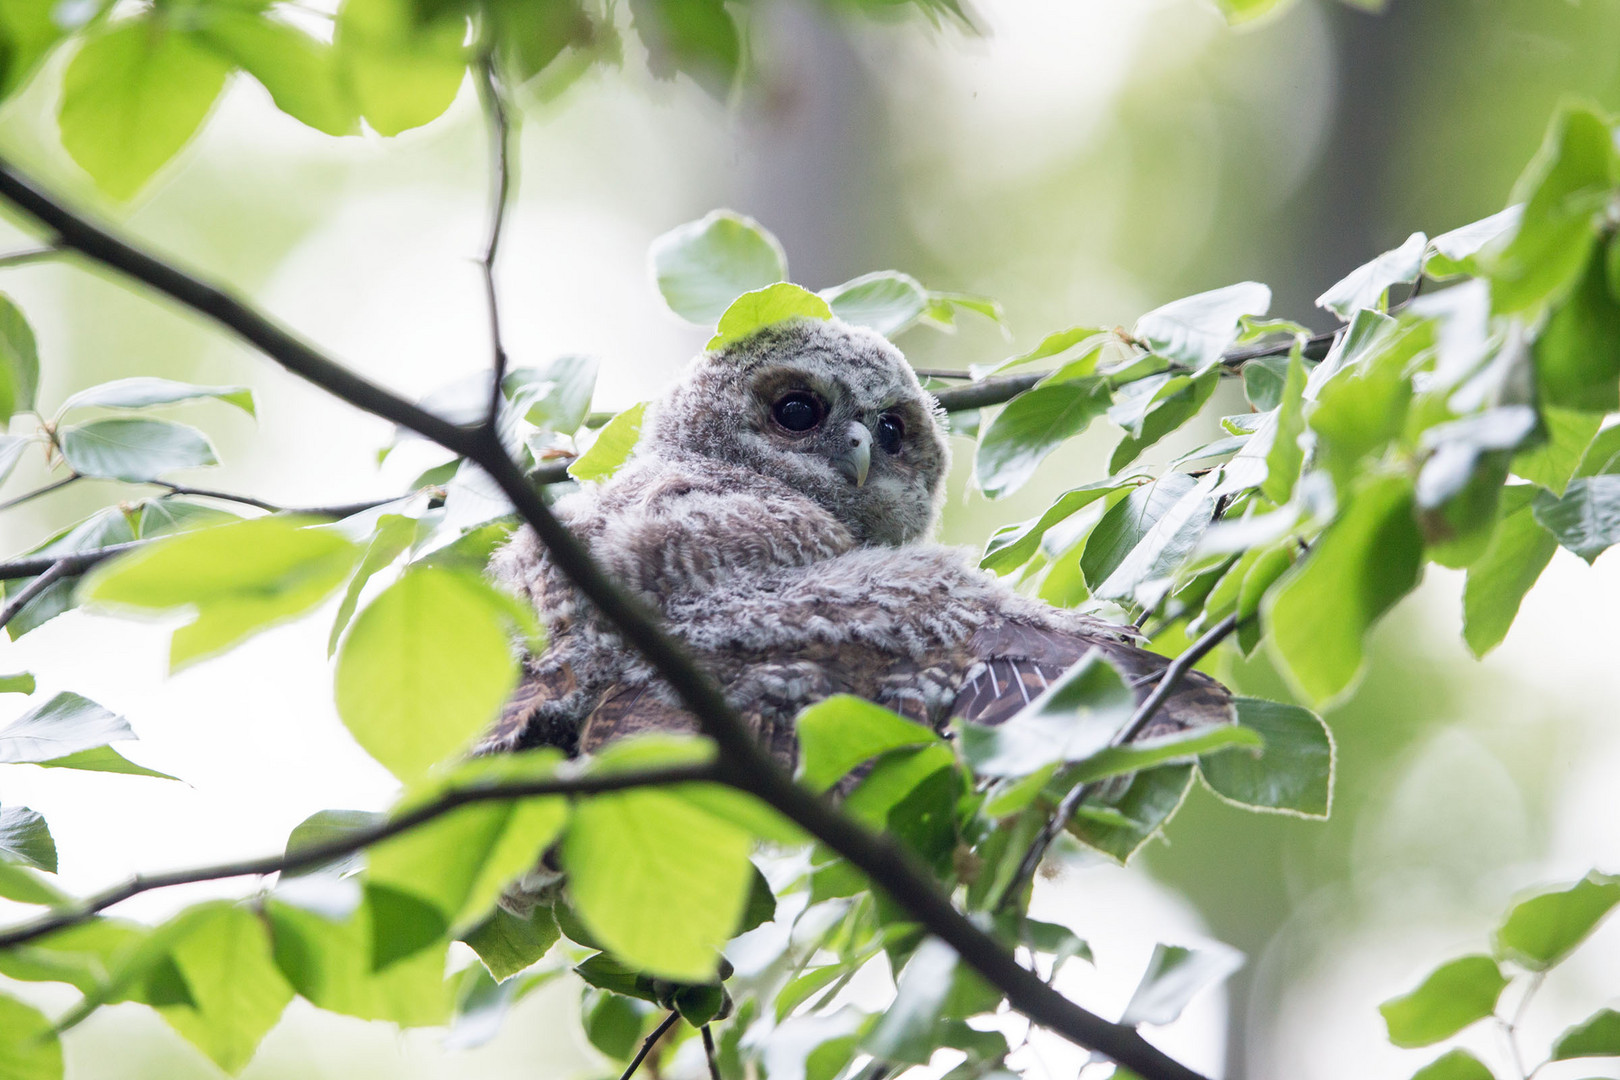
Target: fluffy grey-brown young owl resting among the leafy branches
<point x="775" y="516"/>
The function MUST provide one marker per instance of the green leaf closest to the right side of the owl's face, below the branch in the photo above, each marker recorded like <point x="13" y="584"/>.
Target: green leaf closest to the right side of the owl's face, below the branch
<point x="1031" y="427"/>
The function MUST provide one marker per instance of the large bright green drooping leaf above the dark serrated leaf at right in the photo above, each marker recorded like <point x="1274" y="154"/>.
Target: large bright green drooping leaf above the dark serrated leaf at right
<point x="1358" y="569"/>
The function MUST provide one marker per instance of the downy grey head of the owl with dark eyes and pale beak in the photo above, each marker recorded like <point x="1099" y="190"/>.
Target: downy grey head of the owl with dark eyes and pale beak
<point x="830" y="409"/>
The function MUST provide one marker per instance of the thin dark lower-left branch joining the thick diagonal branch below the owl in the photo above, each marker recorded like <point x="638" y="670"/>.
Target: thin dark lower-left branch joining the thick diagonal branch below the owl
<point x="317" y="854"/>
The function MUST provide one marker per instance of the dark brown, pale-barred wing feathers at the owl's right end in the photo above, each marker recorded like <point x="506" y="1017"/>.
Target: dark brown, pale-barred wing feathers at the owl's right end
<point x="1013" y="663"/>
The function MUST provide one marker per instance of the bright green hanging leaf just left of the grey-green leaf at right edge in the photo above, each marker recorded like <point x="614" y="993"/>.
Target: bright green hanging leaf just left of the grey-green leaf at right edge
<point x="1498" y="582"/>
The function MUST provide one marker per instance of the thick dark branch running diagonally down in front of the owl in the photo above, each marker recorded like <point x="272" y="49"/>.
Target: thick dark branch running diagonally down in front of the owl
<point x="741" y="763"/>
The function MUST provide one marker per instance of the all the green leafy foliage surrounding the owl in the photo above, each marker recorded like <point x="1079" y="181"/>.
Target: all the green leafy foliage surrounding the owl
<point x="1462" y="427"/>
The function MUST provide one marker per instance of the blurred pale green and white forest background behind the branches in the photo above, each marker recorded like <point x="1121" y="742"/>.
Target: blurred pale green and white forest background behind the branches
<point x="1081" y="161"/>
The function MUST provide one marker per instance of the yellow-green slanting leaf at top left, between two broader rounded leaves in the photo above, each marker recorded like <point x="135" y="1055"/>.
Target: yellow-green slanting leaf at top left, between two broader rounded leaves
<point x="301" y="74"/>
